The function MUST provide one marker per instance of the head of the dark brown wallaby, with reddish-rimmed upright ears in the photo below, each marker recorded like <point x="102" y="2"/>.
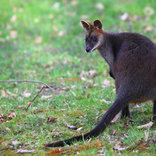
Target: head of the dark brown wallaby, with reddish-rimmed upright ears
<point x="94" y="35"/>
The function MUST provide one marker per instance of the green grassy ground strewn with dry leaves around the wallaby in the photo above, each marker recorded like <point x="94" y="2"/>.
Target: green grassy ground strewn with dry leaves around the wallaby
<point x="43" y="40"/>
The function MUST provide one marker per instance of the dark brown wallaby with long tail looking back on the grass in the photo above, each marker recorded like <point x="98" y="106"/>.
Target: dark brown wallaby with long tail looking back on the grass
<point x="132" y="61"/>
